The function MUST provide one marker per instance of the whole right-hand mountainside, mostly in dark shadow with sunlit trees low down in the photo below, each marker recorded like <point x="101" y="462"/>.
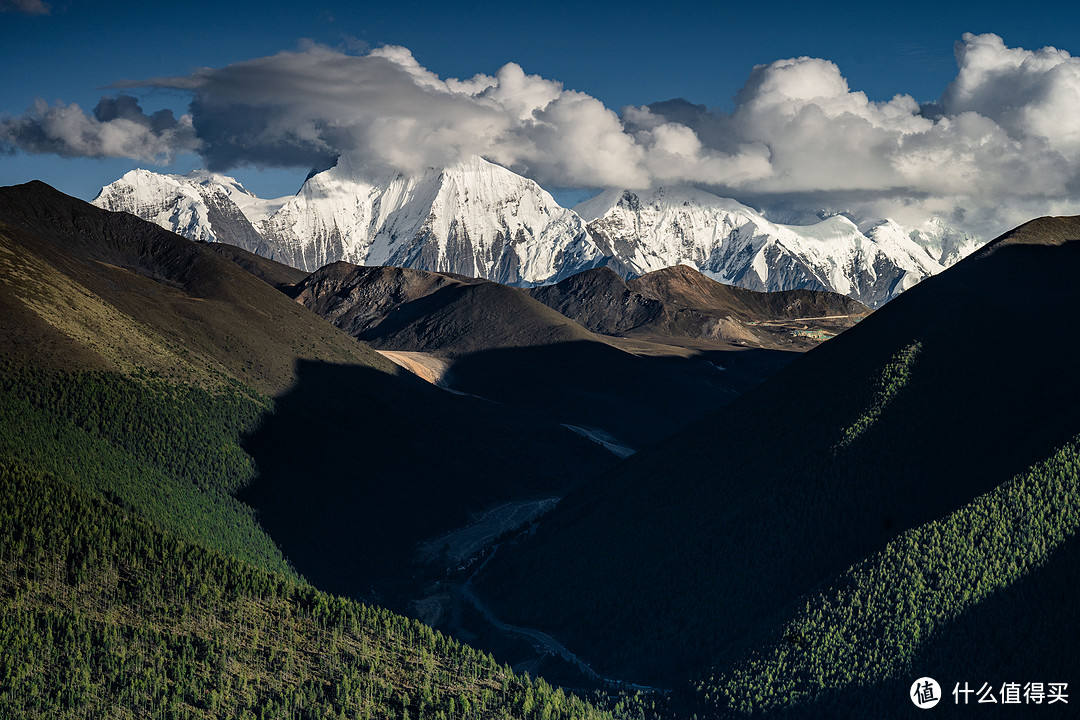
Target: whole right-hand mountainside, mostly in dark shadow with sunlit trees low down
<point x="703" y="555"/>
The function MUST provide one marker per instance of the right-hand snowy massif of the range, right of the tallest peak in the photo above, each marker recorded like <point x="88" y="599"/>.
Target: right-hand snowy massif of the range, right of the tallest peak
<point x="737" y="246"/>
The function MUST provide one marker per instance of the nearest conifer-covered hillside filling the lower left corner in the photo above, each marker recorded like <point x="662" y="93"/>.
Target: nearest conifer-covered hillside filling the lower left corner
<point x="103" y="615"/>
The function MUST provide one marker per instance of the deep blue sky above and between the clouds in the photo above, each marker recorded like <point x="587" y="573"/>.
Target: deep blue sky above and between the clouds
<point x="622" y="55"/>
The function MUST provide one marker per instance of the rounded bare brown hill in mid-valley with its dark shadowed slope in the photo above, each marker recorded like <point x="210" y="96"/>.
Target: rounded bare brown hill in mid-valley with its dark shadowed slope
<point x="503" y="345"/>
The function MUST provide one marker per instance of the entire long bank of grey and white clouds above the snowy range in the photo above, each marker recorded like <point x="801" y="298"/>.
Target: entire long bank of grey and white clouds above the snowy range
<point x="1004" y="134"/>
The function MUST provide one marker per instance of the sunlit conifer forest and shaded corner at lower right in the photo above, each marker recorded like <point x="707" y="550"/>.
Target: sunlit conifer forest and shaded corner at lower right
<point x="911" y="609"/>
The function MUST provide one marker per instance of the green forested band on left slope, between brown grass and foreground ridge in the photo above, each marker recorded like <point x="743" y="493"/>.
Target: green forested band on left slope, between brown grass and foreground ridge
<point x="169" y="453"/>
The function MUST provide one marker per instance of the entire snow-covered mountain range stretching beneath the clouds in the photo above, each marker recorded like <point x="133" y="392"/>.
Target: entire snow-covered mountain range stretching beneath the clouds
<point x="482" y="221"/>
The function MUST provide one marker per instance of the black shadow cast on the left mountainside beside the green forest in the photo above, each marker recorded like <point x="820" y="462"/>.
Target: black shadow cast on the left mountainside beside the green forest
<point x="355" y="469"/>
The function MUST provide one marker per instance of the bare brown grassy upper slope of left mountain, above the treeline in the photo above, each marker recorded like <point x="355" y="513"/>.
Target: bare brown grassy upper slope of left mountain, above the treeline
<point x="121" y="294"/>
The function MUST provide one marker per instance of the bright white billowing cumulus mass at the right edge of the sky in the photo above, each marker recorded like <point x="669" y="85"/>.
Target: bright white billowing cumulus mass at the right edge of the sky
<point x="1002" y="143"/>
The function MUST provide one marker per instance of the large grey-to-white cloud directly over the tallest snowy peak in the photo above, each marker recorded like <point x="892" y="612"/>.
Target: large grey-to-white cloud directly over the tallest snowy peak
<point x="301" y="108"/>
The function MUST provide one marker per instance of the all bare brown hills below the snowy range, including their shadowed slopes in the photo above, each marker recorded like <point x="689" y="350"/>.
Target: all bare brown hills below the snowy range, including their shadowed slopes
<point x="507" y="345"/>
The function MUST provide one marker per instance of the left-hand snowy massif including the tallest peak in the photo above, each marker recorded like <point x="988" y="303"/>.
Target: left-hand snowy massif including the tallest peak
<point x="476" y="220"/>
